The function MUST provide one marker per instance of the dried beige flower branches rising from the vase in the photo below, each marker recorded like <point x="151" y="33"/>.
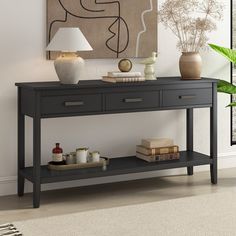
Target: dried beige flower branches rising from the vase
<point x="191" y="31"/>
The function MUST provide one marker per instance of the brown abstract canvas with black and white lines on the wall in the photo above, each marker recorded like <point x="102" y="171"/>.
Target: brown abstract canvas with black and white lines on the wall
<point x="115" y="29"/>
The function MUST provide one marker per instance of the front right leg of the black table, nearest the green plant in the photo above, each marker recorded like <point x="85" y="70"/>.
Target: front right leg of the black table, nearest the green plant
<point x="213" y="136"/>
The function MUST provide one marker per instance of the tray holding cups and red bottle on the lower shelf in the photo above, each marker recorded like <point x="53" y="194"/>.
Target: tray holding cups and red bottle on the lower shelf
<point x="79" y="166"/>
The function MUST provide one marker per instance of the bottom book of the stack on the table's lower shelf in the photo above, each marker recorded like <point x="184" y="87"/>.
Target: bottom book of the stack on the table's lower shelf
<point x="157" y="158"/>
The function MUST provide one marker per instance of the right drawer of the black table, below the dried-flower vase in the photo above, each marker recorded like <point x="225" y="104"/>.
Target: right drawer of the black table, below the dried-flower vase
<point x="187" y="97"/>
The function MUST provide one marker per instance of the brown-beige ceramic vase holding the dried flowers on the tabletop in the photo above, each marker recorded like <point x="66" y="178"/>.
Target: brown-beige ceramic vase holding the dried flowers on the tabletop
<point x="190" y="65"/>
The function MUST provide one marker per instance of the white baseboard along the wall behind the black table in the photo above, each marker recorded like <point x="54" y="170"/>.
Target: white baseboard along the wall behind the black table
<point x="8" y="185"/>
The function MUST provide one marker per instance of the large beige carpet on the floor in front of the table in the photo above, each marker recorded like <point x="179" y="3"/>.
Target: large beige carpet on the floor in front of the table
<point x="213" y="214"/>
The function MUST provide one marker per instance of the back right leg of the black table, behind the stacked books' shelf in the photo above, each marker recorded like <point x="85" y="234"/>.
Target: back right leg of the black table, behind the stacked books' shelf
<point x="189" y="135"/>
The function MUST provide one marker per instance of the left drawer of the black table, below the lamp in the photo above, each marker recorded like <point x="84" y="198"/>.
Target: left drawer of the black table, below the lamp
<point x="71" y="104"/>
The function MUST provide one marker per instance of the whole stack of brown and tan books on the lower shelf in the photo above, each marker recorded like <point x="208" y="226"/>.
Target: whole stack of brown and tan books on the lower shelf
<point x="153" y="150"/>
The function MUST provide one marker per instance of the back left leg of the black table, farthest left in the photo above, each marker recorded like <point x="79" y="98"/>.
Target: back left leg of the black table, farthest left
<point x="21" y="147"/>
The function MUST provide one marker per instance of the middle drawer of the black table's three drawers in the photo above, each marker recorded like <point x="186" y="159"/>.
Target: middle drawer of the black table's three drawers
<point x="132" y="100"/>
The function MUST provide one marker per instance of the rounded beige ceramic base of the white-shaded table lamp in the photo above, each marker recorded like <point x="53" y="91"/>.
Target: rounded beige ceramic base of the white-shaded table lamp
<point x="69" y="68"/>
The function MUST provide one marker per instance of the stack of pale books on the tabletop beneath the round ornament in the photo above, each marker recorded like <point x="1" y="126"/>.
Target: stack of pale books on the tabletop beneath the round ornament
<point x="122" y="77"/>
